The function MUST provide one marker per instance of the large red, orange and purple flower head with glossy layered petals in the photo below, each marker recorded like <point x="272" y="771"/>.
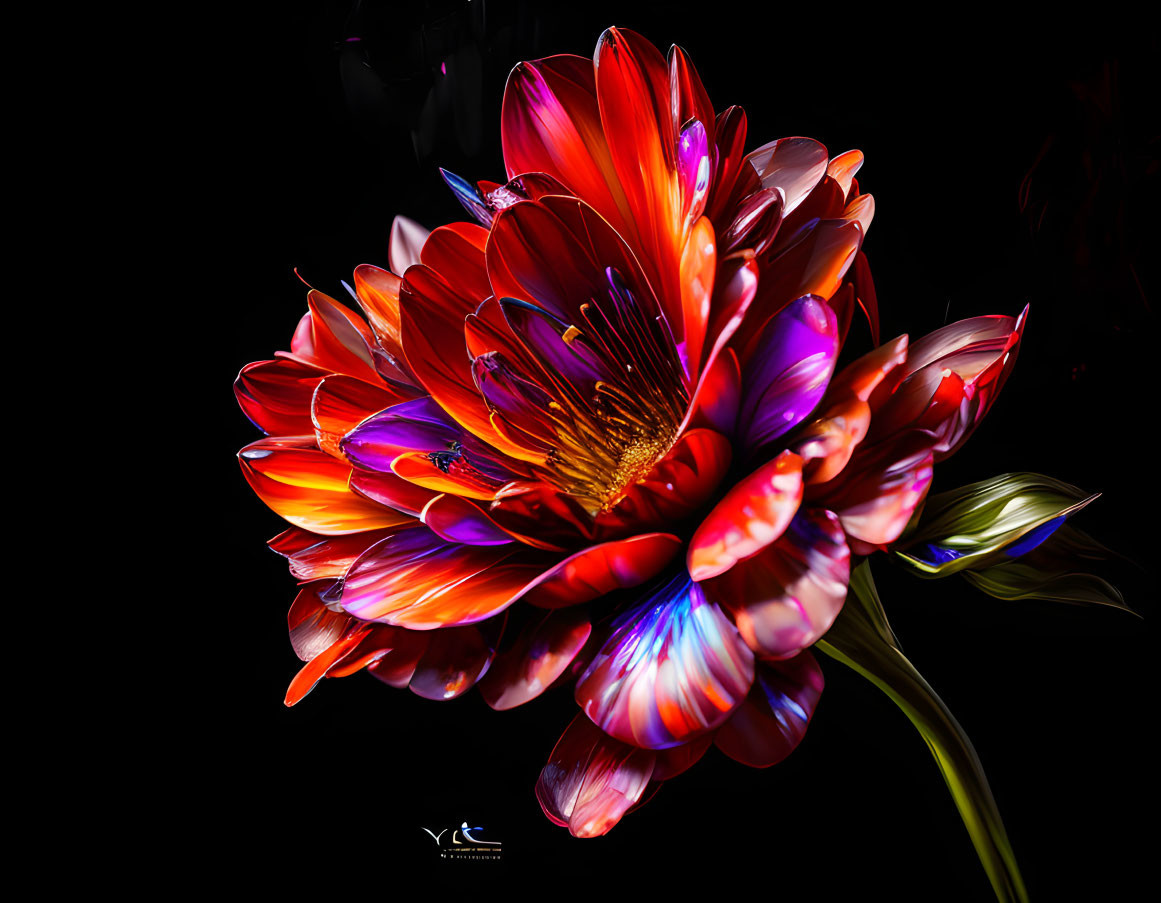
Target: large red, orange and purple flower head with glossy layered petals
<point x="601" y="435"/>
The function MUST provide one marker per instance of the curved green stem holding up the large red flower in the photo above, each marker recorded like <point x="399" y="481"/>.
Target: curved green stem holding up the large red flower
<point x="863" y="640"/>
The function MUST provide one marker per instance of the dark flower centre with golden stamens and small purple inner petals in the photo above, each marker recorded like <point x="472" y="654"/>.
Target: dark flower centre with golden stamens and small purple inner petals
<point x="608" y="396"/>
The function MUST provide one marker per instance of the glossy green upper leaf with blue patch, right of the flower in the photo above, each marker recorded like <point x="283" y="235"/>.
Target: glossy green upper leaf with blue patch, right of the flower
<point x="972" y="526"/>
